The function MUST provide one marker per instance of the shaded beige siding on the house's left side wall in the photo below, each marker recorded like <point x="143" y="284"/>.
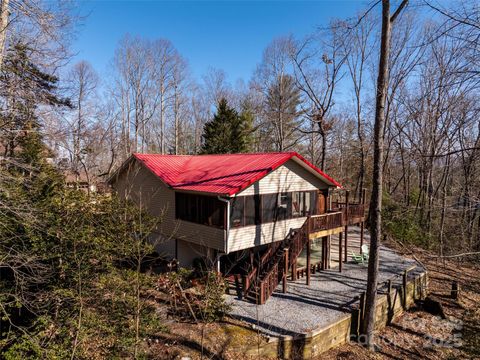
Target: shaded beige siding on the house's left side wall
<point x="147" y="191"/>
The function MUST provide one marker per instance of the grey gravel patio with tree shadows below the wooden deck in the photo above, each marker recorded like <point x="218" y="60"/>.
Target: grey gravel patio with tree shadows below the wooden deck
<point x="329" y="297"/>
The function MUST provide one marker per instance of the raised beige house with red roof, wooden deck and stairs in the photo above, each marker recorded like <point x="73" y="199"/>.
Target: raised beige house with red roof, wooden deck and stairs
<point x="238" y="211"/>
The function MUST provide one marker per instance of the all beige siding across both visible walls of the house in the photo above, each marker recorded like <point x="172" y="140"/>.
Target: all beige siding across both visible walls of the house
<point x="148" y="191"/>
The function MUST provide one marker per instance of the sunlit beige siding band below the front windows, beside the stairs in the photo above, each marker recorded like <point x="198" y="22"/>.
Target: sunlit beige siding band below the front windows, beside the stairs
<point x="254" y="235"/>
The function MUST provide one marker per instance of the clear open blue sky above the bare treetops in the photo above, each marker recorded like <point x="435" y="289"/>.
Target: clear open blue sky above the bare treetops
<point x="229" y="35"/>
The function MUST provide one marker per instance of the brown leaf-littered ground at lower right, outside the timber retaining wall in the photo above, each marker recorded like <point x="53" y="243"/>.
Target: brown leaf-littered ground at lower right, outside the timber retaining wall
<point x="417" y="334"/>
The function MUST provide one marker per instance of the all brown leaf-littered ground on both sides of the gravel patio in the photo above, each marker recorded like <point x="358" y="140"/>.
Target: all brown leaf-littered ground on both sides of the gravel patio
<point x="414" y="335"/>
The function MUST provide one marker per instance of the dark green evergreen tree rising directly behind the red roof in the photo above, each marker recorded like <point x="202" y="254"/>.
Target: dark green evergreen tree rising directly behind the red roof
<point x="228" y="132"/>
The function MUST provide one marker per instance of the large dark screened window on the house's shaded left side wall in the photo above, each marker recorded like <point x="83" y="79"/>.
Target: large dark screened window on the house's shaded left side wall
<point x="200" y="209"/>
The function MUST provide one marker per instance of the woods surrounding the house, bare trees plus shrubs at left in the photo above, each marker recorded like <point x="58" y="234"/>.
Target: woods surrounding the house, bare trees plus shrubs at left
<point x="62" y="291"/>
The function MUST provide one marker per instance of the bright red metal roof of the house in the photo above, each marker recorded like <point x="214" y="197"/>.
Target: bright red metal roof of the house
<point x="223" y="174"/>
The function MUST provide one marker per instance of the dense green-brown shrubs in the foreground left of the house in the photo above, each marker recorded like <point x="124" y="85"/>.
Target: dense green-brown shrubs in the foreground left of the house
<point x="71" y="276"/>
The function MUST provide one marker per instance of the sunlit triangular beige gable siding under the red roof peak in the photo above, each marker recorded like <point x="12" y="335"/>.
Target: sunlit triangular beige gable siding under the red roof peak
<point x="289" y="177"/>
